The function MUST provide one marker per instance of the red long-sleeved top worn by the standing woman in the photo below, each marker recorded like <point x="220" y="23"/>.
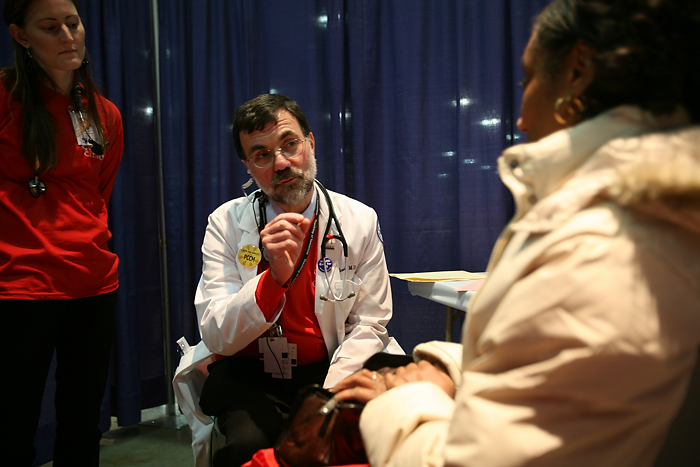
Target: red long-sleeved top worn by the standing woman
<point x="55" y="246"/>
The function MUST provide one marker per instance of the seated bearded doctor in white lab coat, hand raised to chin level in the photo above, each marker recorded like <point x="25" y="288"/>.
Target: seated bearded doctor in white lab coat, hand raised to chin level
<point x="294" y="288"/>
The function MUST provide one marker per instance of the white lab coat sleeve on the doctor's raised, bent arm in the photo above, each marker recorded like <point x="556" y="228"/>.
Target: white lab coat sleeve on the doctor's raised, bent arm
<point x="229" y="316"/>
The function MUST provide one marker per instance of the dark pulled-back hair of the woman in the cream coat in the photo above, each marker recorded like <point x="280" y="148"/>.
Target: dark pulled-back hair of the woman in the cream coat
<point x="646" y="51"/>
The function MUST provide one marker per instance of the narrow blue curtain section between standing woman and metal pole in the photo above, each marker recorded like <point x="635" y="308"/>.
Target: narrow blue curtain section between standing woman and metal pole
<point x="118" y="36"/>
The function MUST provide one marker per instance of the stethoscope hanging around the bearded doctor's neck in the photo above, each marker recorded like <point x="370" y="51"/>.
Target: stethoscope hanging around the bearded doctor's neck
<point x="345" y="290"/>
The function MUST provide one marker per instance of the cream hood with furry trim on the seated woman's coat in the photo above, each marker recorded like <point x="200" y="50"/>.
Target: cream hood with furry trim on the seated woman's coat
<point x="624" y="155"/>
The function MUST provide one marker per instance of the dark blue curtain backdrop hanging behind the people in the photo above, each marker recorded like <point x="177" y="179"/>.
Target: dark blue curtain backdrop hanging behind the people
<point x="410" y="101"/>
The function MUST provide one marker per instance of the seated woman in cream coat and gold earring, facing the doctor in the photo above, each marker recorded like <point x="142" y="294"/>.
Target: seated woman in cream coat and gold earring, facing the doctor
<point x="579" y="348"/>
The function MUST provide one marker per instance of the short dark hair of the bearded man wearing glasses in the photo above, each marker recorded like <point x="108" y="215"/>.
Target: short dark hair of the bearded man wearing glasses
<point x="261" y="110"/>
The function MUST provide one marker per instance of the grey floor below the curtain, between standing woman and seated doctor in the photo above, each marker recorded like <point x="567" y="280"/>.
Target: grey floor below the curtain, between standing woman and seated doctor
<point x="158" y="441"/>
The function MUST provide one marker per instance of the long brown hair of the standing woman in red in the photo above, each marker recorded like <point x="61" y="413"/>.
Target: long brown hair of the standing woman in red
<point x="23" y="85"/>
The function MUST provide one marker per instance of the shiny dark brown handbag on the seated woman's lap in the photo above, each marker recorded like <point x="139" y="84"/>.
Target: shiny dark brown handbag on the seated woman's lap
<point x="314" y="437"/>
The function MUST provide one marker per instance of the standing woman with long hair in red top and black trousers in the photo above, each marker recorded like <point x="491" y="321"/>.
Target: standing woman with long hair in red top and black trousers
<point x="60" y="147"/>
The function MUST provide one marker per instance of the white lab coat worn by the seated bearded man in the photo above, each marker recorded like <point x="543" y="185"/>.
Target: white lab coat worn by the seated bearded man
<point x="229" y="317"/>
